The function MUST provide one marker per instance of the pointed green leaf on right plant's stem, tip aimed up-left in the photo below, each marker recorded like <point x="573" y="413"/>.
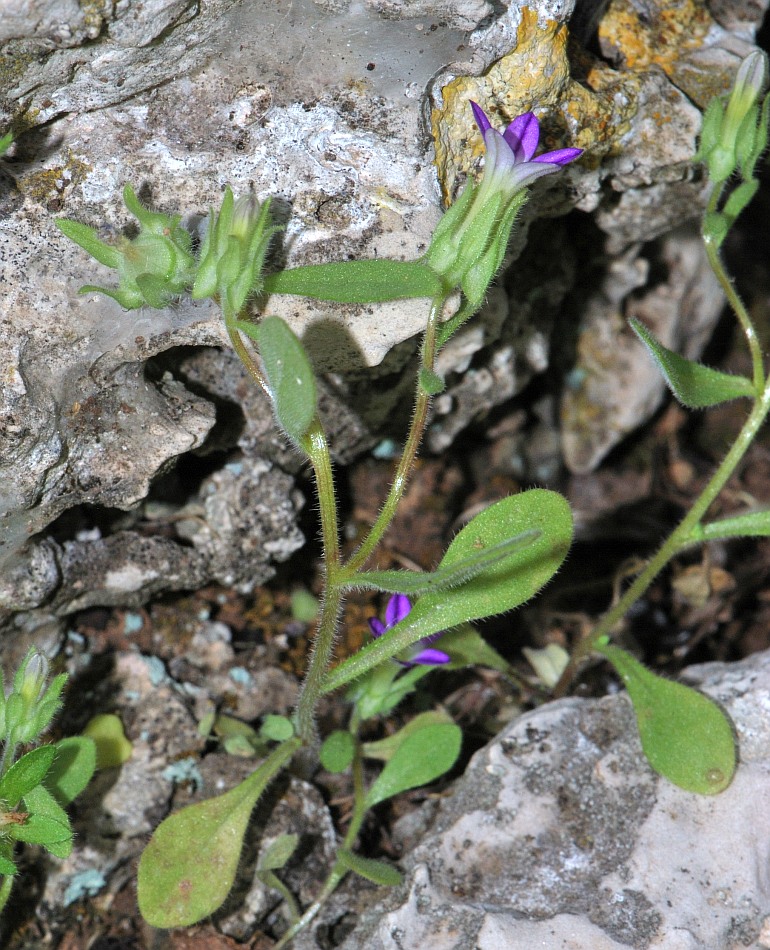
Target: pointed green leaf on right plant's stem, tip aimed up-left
<point x="694" y="385"/>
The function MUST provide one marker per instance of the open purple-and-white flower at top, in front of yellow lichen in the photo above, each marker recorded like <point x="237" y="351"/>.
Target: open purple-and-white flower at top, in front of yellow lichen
<point x="510" y="165"/>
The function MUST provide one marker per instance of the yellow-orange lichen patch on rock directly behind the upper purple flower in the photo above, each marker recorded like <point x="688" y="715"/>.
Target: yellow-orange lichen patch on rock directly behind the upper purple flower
<point x="535" y="75"/>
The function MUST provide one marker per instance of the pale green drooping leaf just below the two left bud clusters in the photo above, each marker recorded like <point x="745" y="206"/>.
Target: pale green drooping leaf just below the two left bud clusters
<point x="289" y="374"/>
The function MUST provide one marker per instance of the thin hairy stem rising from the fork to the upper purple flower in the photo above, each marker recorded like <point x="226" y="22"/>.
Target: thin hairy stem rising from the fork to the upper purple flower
<point x="408" y="456"/>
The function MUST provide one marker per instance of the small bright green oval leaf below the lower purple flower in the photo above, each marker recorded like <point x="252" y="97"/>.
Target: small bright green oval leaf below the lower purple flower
<point x="420" y="759"/>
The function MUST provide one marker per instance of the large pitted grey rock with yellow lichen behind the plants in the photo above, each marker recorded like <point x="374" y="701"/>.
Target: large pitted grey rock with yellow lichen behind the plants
<point x="333" y="108"/>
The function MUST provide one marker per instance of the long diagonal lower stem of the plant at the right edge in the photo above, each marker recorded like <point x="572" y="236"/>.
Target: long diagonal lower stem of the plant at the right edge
<point x="688" y="531"/>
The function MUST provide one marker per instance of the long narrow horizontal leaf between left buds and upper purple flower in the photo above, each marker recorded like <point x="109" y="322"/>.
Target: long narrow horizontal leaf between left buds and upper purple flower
<point x="357" y="281"/>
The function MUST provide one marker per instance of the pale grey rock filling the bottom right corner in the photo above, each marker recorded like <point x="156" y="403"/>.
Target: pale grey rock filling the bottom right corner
<point x="560" y="836"/>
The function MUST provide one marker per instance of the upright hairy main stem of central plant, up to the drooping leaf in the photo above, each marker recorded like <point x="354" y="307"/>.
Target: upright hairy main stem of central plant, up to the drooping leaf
<point x="317" y="448"/>
